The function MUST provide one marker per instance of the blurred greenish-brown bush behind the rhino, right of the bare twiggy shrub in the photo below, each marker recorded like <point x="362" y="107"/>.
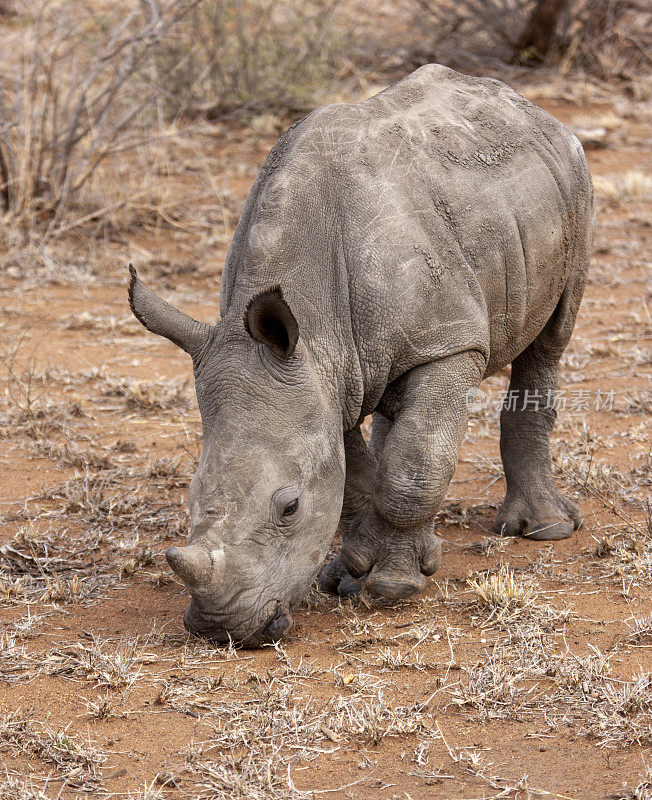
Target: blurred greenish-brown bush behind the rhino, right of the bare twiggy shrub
<point x="253" y="56"/>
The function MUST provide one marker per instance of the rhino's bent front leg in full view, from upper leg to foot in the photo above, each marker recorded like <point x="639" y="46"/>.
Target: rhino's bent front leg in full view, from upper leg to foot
<point x="391" y="544"/>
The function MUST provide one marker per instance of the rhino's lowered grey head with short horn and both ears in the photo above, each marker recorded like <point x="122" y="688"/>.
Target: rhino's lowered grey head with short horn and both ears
<point x="267" y="494"/>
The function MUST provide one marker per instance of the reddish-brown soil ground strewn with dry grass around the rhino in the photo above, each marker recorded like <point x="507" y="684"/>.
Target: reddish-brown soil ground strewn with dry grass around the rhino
<point x="94" y="397"/>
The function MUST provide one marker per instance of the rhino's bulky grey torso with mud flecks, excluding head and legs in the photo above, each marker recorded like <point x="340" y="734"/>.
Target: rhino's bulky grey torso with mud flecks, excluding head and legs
<point x="443" y="214"/>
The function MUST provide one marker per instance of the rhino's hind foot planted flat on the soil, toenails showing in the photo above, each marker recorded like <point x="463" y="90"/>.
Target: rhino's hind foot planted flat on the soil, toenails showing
<point x="547" y="518"/>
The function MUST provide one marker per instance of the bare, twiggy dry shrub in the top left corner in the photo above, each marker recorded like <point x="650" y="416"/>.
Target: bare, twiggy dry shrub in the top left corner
<point x="76" y="87"/>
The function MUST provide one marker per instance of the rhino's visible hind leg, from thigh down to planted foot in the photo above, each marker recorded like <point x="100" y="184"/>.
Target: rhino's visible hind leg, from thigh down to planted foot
<point x="533" y="506"/>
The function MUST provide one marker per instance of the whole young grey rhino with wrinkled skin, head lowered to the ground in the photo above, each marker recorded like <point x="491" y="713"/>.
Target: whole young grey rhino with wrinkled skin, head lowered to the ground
<point x="418" y="242"/>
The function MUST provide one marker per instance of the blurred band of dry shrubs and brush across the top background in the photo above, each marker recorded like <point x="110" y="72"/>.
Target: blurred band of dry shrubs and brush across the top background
<point x="84" y="85"/>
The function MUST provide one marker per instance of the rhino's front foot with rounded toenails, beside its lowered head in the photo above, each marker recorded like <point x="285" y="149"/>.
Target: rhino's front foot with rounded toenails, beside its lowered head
<point x="390" y="563"/>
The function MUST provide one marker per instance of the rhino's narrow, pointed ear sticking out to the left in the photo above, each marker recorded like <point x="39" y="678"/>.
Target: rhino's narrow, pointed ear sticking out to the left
<point x="162" y="318"/>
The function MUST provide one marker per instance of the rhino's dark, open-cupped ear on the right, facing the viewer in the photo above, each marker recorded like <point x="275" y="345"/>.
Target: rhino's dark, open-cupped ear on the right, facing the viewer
<point x="269" y="319"/>
